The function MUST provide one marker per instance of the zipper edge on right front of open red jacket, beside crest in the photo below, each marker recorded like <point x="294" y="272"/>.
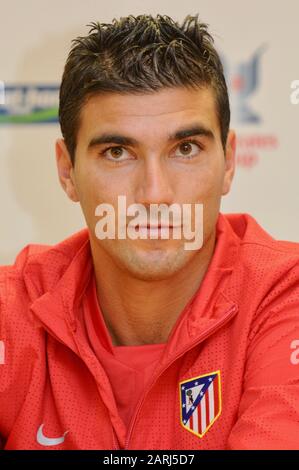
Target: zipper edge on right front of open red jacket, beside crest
<point x="204" y="335"/>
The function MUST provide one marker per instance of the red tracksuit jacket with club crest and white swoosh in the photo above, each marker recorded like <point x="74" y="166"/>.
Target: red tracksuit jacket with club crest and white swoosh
<point x="228" y="379"/>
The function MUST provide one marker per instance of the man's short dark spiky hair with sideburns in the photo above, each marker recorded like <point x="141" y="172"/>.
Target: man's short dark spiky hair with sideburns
<point x="140" y="54"/>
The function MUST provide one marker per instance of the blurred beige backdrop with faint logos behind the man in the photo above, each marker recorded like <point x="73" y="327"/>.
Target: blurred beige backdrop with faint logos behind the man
<point x="257" y="42"/>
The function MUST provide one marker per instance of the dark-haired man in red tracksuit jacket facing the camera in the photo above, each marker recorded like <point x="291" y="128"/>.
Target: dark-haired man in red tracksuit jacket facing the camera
<point x="116" y="342"/>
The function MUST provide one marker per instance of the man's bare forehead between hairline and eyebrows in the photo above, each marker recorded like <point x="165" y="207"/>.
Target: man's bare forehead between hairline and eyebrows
<point x="167" y="108"/>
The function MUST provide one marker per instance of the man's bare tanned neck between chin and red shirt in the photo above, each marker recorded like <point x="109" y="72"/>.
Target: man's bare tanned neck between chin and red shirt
<point x="138" y="312"/>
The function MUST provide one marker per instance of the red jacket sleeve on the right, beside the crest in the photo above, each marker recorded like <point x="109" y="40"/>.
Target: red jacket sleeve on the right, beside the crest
<point x="268" y="416"/>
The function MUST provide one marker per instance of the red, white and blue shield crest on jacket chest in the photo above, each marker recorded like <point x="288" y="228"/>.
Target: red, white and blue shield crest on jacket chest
<point x="200" y="402"/>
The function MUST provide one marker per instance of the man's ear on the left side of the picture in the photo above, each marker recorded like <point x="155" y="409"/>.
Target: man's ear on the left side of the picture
<point x="65" y="170"/>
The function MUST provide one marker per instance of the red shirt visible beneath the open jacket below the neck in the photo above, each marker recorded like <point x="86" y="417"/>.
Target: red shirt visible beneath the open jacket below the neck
<point x="129" y="368"/>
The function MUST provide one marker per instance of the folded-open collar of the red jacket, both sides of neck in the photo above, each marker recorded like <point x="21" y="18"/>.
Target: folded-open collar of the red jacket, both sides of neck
<point x="56" y="298"/>
